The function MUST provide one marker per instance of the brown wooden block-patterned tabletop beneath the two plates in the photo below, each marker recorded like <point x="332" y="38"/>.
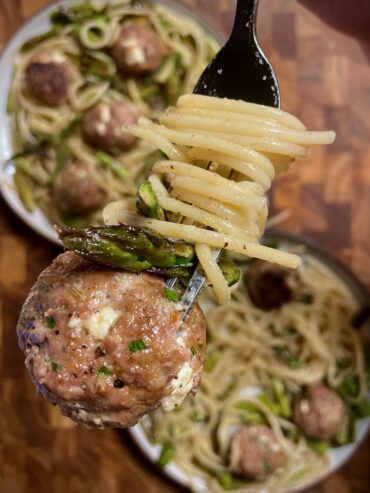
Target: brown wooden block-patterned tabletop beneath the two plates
<point x="325" y="80"/>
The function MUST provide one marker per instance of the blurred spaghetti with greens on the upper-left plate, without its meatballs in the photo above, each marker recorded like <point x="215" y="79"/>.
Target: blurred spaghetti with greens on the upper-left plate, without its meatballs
<point x="82" y="37"/>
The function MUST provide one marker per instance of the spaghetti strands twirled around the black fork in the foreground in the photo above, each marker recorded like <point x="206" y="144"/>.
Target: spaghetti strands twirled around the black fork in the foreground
<point x="222" y="157"/>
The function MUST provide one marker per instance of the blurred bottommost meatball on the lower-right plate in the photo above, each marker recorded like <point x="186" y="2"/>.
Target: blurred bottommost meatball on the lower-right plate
<point x="258" y="451"/>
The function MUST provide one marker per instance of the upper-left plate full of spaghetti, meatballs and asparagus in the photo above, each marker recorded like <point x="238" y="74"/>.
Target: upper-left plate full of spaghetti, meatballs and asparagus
<point x="80" y="78"/>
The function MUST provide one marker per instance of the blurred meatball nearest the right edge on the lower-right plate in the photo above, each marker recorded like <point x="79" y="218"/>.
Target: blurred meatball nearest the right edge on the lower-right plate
<point x="320" y="415"/>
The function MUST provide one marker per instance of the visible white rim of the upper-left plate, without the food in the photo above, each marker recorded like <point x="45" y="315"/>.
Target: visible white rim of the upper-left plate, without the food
<point x="36" y="25"/>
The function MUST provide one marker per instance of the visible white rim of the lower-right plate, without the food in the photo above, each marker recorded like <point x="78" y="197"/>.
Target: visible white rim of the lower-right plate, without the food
<point x="338" y="456"/>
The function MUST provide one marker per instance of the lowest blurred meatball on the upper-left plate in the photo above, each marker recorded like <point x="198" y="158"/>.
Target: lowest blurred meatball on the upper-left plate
<point x="76" y="192"/>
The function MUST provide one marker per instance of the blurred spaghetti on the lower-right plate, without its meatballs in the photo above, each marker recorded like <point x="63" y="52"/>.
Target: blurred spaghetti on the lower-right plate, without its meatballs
<point x="243" y="372"/>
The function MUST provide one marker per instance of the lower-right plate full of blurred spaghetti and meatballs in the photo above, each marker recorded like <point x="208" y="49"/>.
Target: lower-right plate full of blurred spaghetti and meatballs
<point x="259" y="369"/>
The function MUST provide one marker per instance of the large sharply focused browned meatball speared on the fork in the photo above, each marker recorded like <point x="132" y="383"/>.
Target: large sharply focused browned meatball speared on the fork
<point x="104" y="344"/>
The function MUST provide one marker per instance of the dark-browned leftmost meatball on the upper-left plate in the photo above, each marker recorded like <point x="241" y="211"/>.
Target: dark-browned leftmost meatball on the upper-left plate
<point x="47" y="79"/>
